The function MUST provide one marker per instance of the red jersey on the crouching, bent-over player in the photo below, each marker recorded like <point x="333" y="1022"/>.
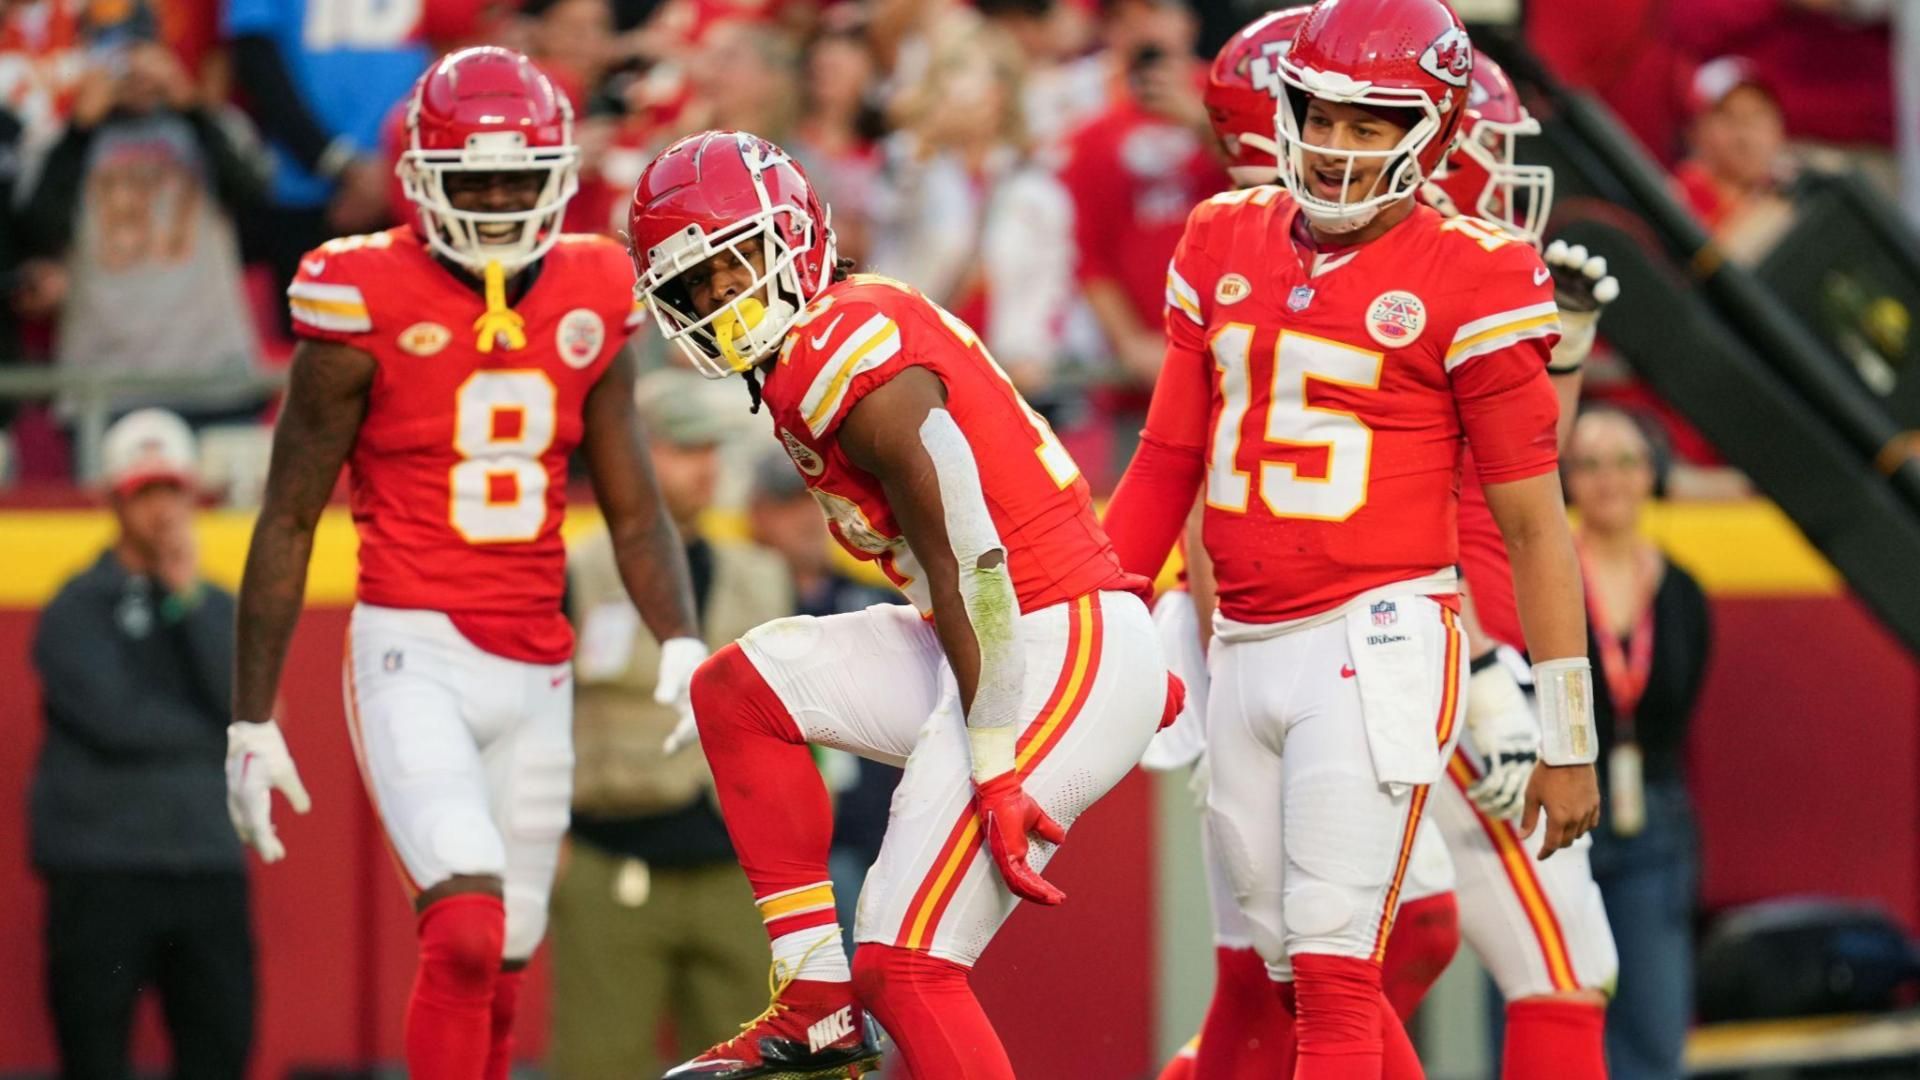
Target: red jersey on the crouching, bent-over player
<point x="857" y="337"/>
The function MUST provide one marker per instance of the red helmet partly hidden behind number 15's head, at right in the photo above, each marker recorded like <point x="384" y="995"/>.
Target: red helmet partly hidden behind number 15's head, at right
<point x="1481" y="176"/>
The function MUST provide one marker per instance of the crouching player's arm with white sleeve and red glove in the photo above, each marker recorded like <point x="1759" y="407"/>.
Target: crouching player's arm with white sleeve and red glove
<point x="903" y="435"/>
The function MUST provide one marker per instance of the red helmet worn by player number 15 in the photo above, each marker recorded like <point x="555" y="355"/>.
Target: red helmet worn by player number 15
<point x="1385" y="55"/>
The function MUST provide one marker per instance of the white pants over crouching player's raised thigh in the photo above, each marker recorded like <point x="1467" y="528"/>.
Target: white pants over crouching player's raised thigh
<point x="865" y="681"/>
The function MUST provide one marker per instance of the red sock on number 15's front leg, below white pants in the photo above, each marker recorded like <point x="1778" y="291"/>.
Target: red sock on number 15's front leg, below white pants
<point x="1345" y="1025"/>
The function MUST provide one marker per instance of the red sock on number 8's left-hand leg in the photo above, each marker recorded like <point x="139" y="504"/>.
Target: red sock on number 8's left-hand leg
<point x="450" y="1016"/>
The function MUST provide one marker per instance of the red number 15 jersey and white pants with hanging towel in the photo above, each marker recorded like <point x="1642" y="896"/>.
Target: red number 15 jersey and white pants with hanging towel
<point x="1330" y="397"/>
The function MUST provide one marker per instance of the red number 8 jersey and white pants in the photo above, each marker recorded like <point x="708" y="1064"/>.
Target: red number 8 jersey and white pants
<point x="458" y="654"/>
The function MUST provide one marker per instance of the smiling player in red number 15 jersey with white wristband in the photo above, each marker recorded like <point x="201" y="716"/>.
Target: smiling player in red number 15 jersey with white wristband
<point x="1333" y="349"/>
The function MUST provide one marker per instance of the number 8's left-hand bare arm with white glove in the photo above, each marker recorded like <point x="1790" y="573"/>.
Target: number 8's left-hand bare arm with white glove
<point x="320" y="422"/>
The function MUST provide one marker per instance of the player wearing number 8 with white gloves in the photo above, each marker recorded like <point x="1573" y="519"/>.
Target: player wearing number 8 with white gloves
<point x="454" y="366"/>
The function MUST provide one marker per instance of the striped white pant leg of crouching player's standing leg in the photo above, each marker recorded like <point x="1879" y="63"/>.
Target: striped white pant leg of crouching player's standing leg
<point x="1095" y="689"/>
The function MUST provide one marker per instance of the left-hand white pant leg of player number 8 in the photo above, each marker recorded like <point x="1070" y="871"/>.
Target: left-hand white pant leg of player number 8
<point x="408" y="675"/>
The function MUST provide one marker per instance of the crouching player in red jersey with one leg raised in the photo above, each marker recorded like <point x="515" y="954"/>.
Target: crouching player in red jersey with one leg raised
<point x="1020" y="685"/>
